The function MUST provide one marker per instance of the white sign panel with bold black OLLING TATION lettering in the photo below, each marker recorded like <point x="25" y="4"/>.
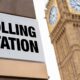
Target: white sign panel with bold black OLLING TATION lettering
<point x="20" y="38"/>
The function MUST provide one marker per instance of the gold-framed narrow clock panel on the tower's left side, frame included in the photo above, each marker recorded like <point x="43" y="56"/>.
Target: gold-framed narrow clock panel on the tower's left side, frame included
<point x="53" y="15"/>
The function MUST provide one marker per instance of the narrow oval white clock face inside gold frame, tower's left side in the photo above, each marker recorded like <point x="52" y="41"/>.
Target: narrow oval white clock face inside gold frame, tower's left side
<point x="53" y="15"/>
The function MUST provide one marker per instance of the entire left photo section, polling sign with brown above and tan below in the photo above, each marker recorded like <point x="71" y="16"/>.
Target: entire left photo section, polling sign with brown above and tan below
<point x="21" y="51"/>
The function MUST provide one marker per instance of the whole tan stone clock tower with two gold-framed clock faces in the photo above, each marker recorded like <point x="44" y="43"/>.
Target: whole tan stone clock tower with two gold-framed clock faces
<point x="63" y="19"/>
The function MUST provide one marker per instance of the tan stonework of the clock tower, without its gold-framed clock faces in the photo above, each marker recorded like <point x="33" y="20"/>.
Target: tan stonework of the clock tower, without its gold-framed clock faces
<point x="66" y="41"/>
